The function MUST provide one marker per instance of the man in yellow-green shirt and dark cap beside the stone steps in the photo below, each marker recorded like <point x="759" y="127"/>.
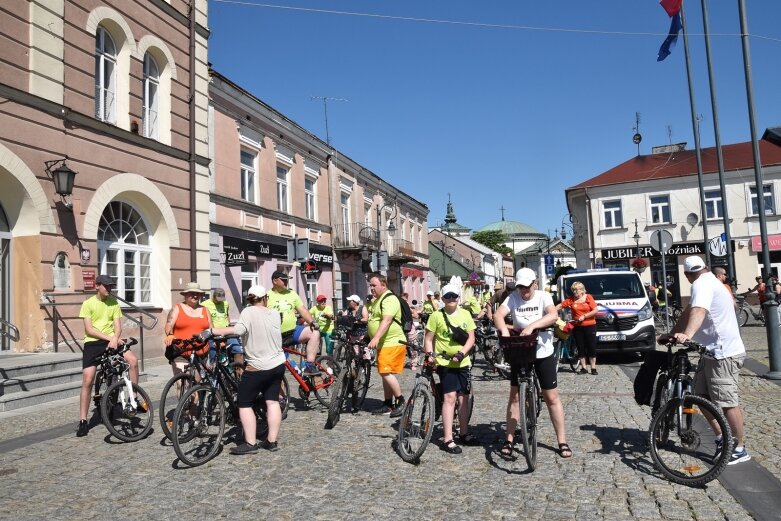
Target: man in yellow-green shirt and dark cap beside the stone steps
<point x="102" y="330"/>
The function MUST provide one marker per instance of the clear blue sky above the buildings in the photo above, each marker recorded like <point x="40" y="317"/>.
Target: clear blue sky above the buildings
<point x="497" y="116"/>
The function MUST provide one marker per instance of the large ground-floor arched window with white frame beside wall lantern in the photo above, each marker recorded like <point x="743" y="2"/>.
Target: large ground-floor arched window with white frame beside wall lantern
<point x="125" y="253"/>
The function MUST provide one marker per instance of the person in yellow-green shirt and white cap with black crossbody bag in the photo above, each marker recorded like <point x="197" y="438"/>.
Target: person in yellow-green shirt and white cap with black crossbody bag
<point x="454" y="374"/>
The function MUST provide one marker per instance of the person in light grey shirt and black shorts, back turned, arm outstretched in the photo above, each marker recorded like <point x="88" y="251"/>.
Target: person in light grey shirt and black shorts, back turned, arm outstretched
<point x="261" y="330"/>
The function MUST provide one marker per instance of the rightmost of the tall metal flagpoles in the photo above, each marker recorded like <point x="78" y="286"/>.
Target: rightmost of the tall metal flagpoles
<point x="770" y="305"/>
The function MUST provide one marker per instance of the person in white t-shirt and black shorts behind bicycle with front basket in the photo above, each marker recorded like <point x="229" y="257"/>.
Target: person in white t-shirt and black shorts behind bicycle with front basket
<point x="531" y="311"/>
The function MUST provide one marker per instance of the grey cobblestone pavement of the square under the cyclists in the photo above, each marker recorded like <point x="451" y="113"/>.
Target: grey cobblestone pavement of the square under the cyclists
<point x="351" y="472"/>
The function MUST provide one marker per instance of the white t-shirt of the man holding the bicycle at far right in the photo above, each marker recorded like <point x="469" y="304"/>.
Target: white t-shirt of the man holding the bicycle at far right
<point x="719" y="331"/>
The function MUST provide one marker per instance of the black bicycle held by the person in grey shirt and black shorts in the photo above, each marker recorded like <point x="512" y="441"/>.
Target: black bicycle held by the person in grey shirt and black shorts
<point x="202" y="412"/>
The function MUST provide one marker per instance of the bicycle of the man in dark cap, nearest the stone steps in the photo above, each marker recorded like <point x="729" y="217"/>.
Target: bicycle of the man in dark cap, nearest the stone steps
<point x="125" y="408"/>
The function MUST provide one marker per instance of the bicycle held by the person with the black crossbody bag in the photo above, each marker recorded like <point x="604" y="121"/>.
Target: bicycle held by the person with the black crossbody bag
<point x="421" y="410"/>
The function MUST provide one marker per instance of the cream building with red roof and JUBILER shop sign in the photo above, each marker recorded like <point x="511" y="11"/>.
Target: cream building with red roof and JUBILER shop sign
<point x="615" y="213"/>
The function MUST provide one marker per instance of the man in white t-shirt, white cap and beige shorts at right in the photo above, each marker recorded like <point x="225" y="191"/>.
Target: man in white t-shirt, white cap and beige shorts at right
<point x="710" y="320"/>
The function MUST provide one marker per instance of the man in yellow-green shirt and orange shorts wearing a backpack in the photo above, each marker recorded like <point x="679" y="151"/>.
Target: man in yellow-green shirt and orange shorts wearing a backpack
<point x="386" y="335"/>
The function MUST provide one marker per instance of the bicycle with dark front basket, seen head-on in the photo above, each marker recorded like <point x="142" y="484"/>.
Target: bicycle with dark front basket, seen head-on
<point x="520" y="351"/>
